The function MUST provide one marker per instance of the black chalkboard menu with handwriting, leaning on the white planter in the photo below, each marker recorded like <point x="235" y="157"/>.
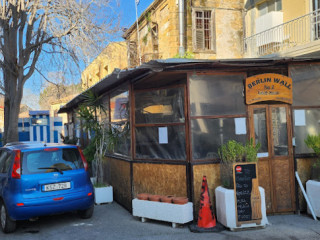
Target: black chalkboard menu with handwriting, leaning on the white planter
<point x="244" y="173"/>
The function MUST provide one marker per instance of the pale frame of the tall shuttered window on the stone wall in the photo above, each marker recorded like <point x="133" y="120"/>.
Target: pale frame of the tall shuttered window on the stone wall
<point x="211" y="28"/>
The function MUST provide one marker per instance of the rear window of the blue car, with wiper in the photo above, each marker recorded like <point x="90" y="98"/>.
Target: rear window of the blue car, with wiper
<point x="56" y="160"/>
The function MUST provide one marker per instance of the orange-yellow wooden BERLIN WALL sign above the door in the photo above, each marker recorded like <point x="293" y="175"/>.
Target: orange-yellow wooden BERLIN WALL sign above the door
<point x="268" y="87"/>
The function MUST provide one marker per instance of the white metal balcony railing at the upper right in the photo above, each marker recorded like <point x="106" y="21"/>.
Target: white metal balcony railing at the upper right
<point x="299" y="31"/>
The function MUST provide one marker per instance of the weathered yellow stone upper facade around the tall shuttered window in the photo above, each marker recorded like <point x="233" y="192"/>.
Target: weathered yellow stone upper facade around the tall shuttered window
<point x="211" y="29"/>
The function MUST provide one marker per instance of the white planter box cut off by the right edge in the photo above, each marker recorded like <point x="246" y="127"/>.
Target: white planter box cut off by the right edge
<point x="313" y="192"/>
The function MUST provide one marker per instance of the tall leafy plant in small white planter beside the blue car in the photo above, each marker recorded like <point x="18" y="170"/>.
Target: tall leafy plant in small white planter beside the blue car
<point x="100" y="143"/>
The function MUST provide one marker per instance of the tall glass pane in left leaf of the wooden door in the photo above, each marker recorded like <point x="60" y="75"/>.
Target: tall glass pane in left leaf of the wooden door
<point x="260" y="131"/>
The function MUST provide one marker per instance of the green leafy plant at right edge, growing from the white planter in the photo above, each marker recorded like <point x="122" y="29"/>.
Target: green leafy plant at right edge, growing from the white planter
<point x="313" y="142"/>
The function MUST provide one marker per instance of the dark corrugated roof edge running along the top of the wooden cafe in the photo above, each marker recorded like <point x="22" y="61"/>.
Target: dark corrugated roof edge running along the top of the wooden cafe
<point x="120" y="76"/>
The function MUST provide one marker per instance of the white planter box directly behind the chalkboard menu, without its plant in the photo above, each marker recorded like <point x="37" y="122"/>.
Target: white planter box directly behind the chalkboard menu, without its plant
<point x="226" y="209"/>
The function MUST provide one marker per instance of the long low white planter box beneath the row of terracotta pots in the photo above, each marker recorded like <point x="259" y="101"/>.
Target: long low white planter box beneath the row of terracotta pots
<point x="168" y="212"/>
